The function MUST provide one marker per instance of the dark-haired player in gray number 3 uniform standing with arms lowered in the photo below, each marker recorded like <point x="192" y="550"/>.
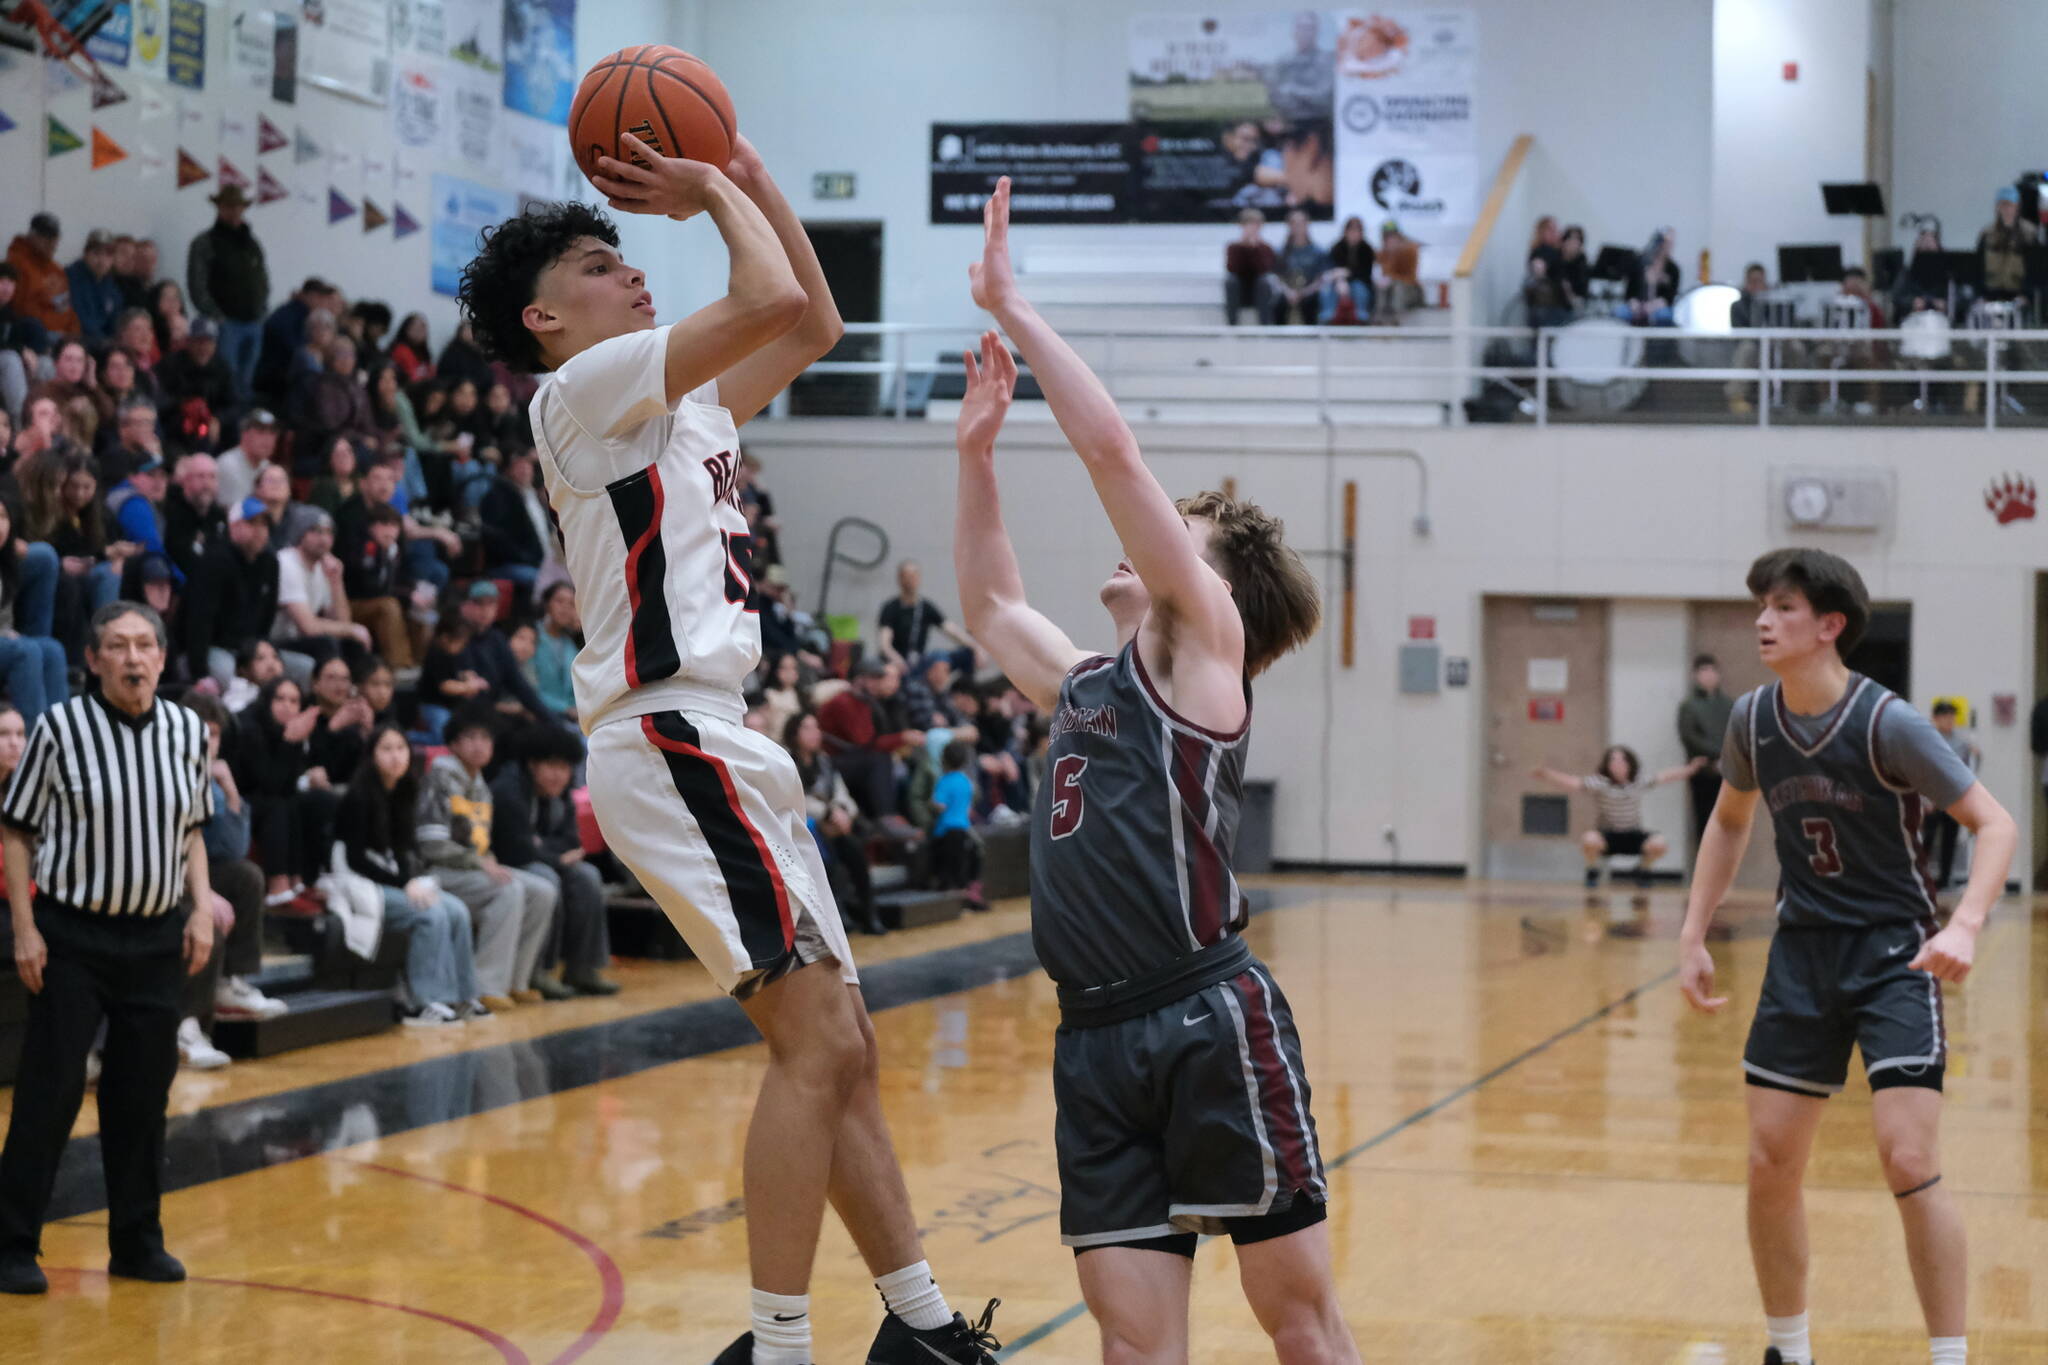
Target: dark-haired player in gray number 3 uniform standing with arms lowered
<point x="1846" y="773"/>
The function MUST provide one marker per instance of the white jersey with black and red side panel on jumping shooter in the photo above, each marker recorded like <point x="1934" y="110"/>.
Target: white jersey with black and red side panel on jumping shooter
<point x="654" y="537"/>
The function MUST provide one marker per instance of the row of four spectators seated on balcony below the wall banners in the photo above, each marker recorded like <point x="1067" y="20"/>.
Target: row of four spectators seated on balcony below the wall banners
<point x="1347" y="283"/>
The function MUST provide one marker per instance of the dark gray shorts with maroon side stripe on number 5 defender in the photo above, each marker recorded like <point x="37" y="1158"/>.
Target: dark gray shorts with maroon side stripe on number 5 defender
<point x="1191" y="1118"/>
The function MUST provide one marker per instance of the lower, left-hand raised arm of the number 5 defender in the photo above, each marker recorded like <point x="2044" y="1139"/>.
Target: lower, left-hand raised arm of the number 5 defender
<point x="1031" y="650"/>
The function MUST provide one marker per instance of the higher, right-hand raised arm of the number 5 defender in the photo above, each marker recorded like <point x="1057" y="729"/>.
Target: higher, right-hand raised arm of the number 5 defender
<point x="1146" y="519"/>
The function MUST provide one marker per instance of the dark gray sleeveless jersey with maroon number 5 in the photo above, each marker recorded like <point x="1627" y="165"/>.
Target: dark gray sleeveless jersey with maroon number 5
<point x="1132" y="830"/>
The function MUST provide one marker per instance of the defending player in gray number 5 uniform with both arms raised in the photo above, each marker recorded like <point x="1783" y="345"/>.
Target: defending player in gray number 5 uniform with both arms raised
<point x="1177" y="1073"/>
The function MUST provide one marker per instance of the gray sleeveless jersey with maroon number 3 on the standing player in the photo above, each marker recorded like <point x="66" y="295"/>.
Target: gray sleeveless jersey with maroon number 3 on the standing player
<point x="1848" y="832"/>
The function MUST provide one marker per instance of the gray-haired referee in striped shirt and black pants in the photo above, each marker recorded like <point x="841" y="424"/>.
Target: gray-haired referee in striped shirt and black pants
<point x="105" y="816"/>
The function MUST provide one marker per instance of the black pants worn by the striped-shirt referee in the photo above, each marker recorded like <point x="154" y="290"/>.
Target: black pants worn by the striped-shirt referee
<point x="126" y="971"/>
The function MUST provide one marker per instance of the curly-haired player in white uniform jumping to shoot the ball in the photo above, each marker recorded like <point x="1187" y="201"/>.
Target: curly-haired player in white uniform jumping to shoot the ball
<point x="636" y="425"/>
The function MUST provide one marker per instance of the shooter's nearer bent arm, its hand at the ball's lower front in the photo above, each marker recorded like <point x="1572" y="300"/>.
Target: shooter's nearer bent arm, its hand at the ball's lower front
<point x="763" y="296"/>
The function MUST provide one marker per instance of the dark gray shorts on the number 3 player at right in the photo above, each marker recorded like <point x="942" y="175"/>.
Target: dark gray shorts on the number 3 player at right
<point x="1830" y="992"/>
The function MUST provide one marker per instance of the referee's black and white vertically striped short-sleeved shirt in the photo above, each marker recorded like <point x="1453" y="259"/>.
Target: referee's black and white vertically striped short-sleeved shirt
<point x="112" y="801"/>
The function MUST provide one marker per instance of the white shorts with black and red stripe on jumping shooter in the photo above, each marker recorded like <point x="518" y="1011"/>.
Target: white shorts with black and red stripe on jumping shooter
<point x="710" y="816"/>
